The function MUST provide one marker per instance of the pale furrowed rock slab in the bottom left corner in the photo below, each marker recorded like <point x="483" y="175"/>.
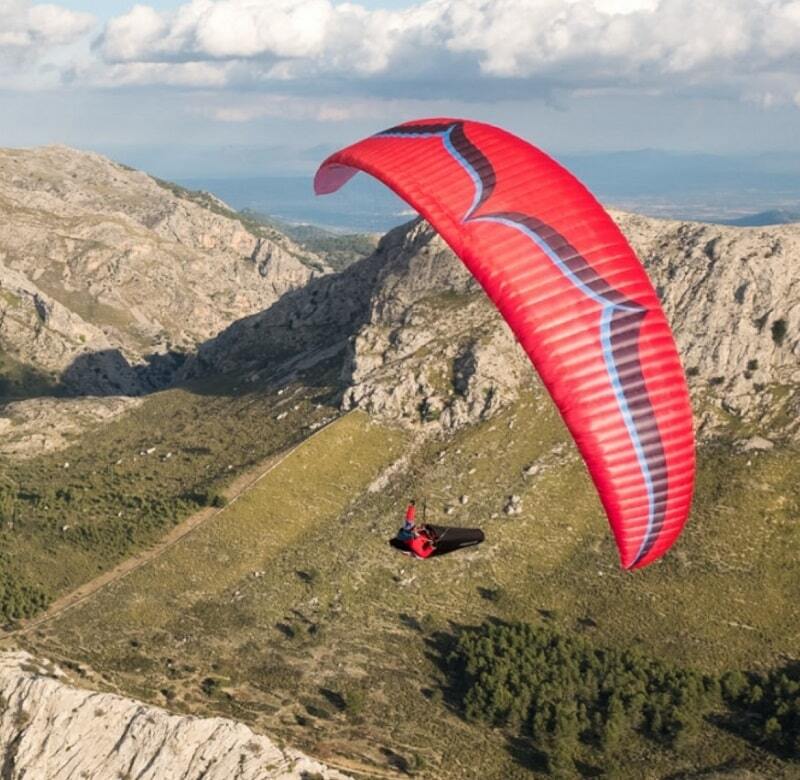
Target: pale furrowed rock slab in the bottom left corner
<point x="43" y="719"/>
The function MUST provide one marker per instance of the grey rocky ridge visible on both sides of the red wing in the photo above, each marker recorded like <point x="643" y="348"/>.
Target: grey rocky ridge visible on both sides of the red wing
<point x="420" y="343"/>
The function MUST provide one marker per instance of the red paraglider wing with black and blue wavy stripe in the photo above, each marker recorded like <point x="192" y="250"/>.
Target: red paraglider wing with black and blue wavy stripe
<point x="578" y="300"/>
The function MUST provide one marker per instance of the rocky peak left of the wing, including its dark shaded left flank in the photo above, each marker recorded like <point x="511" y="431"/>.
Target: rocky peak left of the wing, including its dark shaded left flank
<point x="417" y="340"/>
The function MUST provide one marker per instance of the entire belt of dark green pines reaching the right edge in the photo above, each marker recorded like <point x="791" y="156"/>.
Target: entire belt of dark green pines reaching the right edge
<point x="582" y="706"/>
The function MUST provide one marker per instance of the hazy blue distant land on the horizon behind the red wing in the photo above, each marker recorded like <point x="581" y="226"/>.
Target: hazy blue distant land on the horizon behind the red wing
<point x="672" y="185"/>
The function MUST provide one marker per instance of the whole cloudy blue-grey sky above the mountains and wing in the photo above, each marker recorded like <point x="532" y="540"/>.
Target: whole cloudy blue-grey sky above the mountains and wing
<point x="210" y="88"/>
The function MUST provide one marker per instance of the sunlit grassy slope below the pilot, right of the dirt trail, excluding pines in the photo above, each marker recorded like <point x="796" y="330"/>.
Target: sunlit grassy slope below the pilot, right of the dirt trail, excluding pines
<point x="335" y="646"/>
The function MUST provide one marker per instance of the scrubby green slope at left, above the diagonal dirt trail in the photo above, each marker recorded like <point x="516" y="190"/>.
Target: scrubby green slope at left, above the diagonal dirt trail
<point x="81" y="510"/>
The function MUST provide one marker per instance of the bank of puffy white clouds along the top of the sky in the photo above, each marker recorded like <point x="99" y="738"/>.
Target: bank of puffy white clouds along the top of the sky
<point x="461" y="49"/>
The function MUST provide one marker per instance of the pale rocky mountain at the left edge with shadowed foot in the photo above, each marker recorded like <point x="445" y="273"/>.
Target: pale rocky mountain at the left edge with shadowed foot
<point x="104" y="270"/>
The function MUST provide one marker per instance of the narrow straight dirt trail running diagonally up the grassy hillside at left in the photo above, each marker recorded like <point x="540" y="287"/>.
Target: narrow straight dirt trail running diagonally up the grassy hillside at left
<point x="240" y="486"/>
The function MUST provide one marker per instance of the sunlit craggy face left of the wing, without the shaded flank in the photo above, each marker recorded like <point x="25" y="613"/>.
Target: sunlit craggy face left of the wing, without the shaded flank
<point x="433" y="349"/>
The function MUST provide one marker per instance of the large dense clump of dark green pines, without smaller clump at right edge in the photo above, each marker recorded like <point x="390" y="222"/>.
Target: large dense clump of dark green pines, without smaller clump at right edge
<point x="573" y="700"/>
